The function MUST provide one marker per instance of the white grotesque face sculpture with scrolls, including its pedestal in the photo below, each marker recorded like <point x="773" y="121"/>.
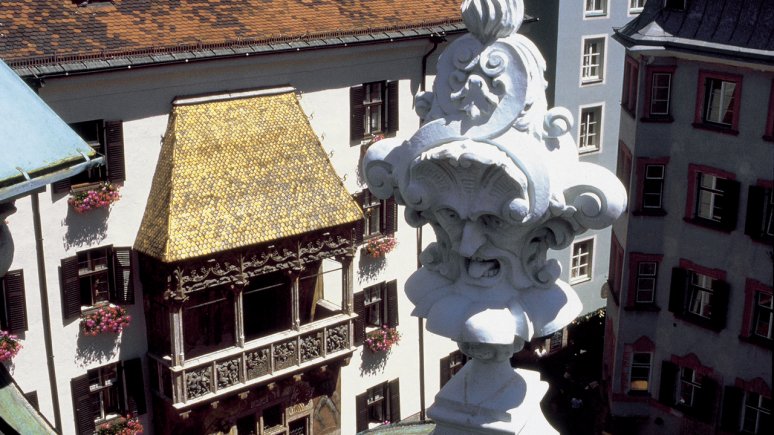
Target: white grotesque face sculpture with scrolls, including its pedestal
<point x="496" y="175"/>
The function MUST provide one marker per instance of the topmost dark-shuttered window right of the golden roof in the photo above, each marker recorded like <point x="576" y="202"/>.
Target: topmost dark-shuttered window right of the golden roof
<point x="373" y="109"/>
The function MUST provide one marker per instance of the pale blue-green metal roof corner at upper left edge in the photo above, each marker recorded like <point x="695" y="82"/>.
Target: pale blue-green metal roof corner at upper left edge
<point x="36" y="145"/>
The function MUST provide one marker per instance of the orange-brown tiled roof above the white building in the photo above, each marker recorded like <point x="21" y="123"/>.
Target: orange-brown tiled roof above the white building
<point x="34" y="32"/>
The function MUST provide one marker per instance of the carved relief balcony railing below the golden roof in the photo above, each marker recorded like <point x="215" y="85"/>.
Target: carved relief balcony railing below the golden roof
<point x="218" y="374"/>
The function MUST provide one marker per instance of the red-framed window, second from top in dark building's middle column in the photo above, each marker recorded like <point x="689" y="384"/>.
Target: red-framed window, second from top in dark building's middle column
<point x="715" y="197"/>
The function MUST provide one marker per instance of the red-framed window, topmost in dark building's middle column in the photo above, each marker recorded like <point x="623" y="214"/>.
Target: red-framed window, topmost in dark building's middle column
<point x="718" y="101"/>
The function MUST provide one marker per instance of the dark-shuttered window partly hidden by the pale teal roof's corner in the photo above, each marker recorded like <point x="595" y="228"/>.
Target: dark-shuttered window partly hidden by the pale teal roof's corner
<point x="107" y="139"/>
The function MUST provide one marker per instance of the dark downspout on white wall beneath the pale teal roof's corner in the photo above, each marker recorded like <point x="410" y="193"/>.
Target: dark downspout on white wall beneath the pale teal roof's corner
<point x="45" y="310"/>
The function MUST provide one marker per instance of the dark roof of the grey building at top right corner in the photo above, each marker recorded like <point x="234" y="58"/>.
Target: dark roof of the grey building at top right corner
<point x="741" y="28"/>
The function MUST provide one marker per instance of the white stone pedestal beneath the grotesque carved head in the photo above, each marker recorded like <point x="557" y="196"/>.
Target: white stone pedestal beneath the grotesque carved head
<point x="491" y="398"/>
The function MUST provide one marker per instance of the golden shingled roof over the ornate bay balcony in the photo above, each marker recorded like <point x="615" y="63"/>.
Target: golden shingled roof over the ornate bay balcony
<point x="237" y="172"/>
